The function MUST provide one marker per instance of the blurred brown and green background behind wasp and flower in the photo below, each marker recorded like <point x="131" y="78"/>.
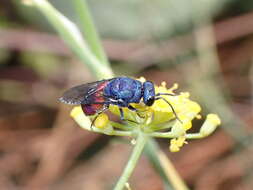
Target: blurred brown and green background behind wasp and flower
<point x="42" y="148"/>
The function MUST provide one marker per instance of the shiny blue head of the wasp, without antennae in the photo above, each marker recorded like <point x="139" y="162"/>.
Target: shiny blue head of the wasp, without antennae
<point x="148" y="93"/>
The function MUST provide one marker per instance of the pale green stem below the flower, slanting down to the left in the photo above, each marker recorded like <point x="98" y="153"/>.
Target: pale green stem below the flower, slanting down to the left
<point x="140" y="143"/>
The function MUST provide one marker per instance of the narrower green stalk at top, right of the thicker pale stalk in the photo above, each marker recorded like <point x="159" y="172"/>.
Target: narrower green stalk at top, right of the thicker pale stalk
<point x="89" y="30"/>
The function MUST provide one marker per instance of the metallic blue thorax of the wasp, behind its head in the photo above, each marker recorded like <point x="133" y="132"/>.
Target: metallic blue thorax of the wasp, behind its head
<point x="125" y="89"/>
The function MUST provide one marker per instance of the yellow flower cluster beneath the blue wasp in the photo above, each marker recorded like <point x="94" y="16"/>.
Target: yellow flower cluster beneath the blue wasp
<point x="157" y="120"/>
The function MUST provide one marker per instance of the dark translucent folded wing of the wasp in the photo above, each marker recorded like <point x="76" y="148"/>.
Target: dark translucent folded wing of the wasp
<point x="79" y="94"/>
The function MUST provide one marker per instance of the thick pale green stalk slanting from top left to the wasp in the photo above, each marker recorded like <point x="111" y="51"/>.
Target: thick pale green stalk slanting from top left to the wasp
<point x="72" y="36"/>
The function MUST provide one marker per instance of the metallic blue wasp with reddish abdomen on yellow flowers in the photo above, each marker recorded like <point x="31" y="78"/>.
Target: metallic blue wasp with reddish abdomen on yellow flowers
<point x="96" y="97"/>
